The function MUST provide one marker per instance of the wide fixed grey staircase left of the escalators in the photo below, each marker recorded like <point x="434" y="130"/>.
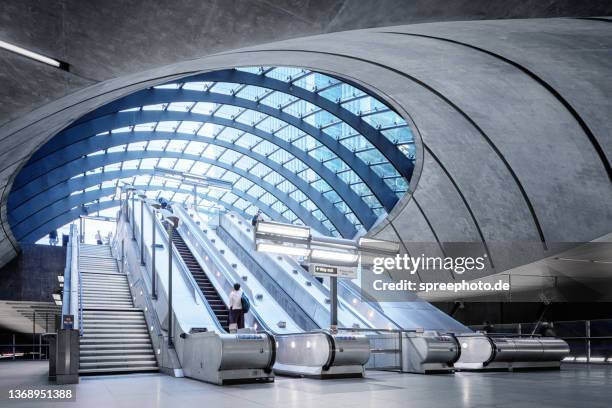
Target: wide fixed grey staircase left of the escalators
<point x="115" y="336"/>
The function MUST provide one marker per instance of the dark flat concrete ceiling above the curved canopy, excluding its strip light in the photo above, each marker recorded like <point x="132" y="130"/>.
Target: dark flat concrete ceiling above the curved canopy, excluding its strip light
<point x="102" y="39"/>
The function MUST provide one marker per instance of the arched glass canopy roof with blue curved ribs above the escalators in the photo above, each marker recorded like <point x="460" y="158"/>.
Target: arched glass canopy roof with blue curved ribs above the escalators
<point x="302" y="146"/>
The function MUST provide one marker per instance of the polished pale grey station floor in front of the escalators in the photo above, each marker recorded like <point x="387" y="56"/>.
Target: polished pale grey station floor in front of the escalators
<point x="573" y="386"/>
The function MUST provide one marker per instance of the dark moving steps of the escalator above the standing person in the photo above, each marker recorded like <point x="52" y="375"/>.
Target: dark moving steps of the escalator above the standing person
<point x="206" y="286"/>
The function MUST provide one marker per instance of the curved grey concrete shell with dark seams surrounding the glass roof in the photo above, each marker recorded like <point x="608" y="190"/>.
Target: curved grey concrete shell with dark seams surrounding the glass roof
<point x="505" y="156"/>
